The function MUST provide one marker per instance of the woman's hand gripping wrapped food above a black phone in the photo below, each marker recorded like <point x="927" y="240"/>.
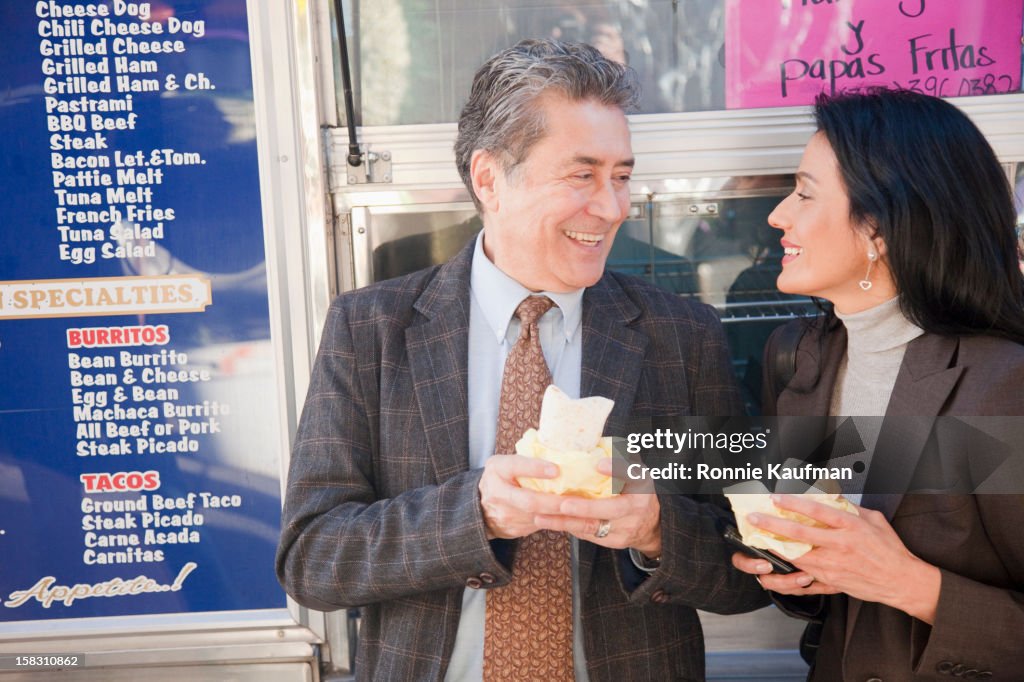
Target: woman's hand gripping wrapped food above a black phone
<point x="861" y="556"/>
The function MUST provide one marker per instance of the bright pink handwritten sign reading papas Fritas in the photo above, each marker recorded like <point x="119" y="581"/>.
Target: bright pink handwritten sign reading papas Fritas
<point x="784" y="53"/>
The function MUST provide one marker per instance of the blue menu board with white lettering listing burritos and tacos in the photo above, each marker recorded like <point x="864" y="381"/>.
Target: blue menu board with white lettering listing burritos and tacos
<point x="139" y="419"/>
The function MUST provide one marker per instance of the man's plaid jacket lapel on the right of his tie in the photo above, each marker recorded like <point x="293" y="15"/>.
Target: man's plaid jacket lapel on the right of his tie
<point x="613" y="361"/>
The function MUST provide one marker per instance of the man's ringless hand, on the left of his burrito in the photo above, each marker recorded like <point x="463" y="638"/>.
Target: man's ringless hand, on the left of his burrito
<point x="510" y="510"/>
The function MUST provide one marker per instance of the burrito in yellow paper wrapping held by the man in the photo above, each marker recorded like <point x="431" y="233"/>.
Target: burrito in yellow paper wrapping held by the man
<point x="570" y="436"/>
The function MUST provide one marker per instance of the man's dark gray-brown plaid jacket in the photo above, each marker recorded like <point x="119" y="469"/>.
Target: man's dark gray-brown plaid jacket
<point x="382" y="511"/>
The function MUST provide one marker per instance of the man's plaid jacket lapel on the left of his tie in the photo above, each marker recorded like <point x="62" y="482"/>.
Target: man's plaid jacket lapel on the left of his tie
<point x="438" y="350"/>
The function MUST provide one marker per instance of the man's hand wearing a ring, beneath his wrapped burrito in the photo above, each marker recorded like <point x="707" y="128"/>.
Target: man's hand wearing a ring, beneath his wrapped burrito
<point x="634" y="519"/>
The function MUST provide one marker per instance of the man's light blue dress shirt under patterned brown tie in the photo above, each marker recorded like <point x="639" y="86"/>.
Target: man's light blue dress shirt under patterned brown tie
<point x="493" y="331"/>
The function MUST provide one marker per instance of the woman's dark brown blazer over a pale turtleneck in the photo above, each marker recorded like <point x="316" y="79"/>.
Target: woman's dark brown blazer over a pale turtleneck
<point x="977" y="541"/>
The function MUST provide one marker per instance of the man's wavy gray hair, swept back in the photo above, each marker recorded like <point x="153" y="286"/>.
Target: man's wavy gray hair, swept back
<point x="501" y="116"/>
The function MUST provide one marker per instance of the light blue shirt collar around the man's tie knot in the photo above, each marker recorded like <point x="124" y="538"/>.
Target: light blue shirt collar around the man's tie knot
<point x="499" y="295"/>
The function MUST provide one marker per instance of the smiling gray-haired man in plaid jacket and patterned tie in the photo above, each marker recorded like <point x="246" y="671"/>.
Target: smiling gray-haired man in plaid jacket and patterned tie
<point x="398" y="500"/>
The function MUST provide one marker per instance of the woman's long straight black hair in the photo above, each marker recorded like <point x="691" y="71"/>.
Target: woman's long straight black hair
<point x="924" y="179"/>
